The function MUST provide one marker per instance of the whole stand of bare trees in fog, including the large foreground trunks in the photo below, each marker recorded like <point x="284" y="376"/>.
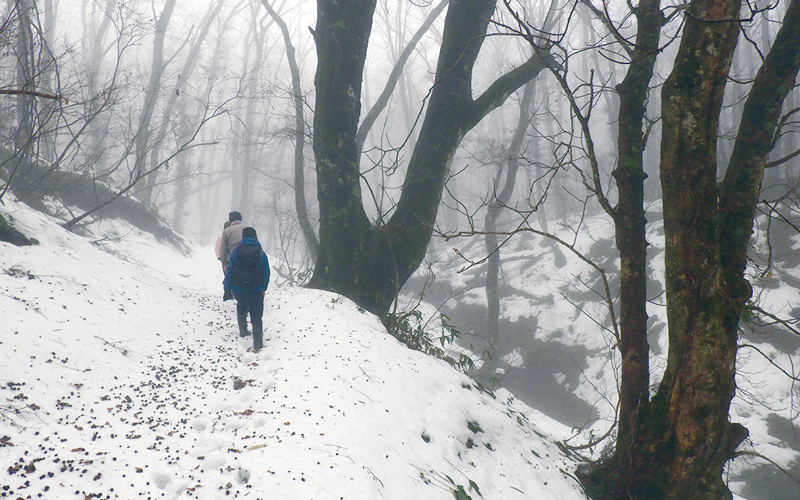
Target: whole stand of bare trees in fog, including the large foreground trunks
<point x="366" y="138"/>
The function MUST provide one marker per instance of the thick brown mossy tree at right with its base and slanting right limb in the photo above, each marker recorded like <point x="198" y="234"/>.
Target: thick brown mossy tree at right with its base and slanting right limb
<point x="676" y="445"/>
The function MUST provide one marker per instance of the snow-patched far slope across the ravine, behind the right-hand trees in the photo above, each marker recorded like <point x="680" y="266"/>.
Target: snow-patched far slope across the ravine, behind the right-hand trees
<point x="559" y="351"/>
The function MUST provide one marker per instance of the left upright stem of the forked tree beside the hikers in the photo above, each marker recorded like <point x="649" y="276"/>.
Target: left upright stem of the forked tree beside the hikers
<point x="341" y="36"/>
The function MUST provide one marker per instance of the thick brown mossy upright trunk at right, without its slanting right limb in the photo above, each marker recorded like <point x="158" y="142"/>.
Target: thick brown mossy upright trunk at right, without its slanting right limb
<point x="690" y="435"/>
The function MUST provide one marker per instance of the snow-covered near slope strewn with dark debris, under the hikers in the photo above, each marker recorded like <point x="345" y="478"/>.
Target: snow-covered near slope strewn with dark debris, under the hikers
<point x="122" y="376"/>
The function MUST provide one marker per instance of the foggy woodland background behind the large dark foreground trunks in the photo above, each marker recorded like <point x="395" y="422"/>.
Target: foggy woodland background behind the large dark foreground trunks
<point x="171" y="113"/>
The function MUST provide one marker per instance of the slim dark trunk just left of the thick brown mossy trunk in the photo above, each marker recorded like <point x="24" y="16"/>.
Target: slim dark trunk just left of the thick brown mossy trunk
<point x="630" y="228"/>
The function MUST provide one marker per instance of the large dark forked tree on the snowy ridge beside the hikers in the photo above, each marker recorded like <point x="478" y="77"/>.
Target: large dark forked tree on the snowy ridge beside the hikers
<point x="365" y="262"/>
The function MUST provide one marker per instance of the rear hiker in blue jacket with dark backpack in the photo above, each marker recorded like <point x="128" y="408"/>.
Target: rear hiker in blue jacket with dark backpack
<point x="247" y="276"/>
